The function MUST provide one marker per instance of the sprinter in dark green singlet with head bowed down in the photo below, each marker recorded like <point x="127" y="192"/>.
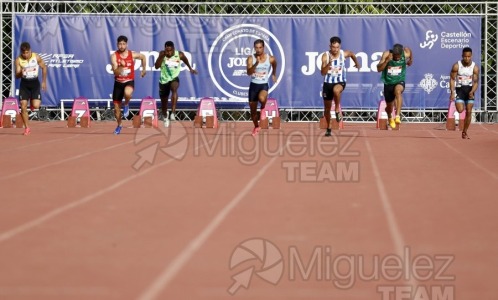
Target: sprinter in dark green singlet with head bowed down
<point x="393" y="67"/>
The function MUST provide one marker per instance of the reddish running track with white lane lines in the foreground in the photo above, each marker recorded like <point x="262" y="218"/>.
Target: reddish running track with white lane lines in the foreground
<point x="184" y="213"/>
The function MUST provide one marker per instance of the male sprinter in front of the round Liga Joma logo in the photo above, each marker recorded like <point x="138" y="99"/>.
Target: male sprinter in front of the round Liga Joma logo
<point x="259" y="66"/>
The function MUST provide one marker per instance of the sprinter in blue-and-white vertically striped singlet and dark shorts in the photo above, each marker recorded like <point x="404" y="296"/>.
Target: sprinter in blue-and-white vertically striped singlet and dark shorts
<point x="334" y="71"/>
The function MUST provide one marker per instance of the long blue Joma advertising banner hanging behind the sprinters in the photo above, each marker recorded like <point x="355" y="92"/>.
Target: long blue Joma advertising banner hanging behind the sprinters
<point x="77" y="52"/>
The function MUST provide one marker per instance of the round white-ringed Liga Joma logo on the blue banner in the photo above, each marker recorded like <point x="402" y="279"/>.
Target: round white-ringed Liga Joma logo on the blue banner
<point x="228" y="57"/>
